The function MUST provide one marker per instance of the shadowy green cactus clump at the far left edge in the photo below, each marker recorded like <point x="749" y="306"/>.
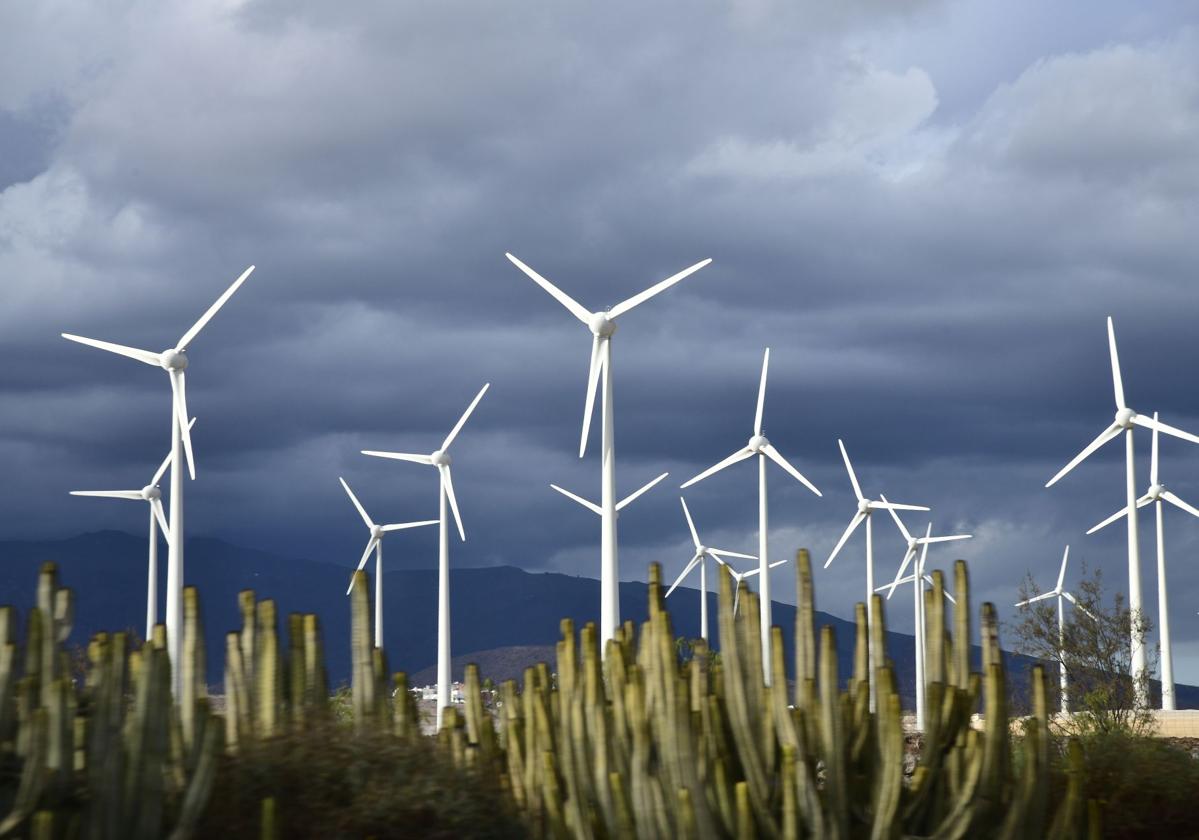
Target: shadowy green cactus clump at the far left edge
<point x="113" y="758"/>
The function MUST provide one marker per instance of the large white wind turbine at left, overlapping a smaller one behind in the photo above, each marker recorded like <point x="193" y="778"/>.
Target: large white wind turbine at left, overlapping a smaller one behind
<point x="174" y="362"/>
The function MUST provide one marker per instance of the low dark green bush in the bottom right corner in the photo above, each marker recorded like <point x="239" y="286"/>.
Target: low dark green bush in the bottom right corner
<point x="1146" y="787"/>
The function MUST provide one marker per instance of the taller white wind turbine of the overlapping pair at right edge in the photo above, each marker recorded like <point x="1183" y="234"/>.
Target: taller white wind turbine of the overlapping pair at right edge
<point x="1125" y="420"/>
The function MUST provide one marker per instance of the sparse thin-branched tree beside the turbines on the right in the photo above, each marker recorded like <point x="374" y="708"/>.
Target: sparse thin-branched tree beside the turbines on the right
<point x="1093" y="646"/>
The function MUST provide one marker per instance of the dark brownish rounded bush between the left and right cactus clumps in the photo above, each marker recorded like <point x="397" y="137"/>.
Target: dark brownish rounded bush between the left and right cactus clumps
<point x="328" y="783"/>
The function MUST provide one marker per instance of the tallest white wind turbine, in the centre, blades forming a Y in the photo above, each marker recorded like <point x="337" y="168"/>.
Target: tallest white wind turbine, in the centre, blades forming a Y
<point x="602" y="327"/>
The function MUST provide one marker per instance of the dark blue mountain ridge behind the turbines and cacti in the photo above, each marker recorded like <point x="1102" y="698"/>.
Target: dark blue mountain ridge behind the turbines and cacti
<point x="503" y="618"/>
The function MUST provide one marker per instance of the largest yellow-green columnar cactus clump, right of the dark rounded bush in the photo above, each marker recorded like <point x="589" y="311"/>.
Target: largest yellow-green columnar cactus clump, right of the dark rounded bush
<point x="636" y="745"/>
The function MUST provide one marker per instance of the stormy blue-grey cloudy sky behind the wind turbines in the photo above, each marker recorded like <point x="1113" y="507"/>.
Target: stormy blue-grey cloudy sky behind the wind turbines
<point x="926" y="210"/>
